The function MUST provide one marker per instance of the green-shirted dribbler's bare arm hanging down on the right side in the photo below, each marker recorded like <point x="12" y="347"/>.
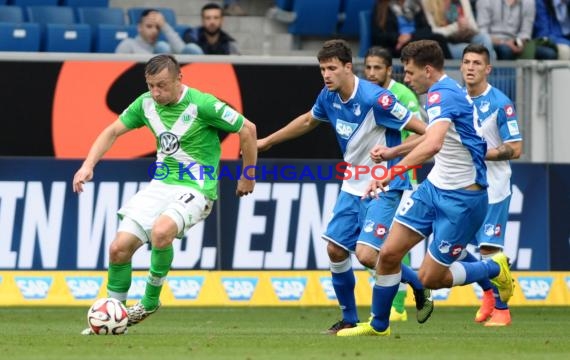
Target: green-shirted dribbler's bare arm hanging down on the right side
<point x="247" y="140"/>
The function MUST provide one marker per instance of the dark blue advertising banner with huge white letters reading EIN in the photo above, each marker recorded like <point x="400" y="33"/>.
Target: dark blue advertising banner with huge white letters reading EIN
<point x="47" y="226"/>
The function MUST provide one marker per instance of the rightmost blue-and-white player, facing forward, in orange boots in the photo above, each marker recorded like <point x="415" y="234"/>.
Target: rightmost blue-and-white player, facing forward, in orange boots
<point x="500" y="129"/>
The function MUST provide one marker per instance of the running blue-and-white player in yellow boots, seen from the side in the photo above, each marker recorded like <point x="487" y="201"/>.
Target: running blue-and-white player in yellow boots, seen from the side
<point x="451" y="203"/>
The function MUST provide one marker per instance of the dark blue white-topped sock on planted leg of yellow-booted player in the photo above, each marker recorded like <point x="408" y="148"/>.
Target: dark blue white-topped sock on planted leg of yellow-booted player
<point x="383" y="294"/>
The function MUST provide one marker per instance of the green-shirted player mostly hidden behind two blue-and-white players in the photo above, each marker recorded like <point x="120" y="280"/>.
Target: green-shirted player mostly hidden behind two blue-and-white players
<point x="378" y="69"/>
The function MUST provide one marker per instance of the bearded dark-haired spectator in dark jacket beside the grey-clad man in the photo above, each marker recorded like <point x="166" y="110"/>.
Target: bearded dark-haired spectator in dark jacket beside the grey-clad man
<point x="210" y="36"/>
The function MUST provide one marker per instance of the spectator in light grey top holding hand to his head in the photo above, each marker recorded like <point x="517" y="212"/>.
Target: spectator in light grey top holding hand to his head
<point x="151" y="25"/>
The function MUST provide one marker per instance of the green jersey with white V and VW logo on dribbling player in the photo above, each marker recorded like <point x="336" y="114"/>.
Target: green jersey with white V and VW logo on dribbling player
<point x="186" y="135"/>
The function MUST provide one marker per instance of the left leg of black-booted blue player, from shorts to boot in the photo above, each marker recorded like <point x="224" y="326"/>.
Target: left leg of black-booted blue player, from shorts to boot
<point x="341" y="235"/>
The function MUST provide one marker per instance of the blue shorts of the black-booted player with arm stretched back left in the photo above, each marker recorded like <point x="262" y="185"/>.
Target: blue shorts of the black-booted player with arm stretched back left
<point x="364" y="221"/>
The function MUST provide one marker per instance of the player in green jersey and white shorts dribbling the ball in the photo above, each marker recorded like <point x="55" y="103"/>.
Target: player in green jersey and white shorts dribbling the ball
<point x="185" y="123"/>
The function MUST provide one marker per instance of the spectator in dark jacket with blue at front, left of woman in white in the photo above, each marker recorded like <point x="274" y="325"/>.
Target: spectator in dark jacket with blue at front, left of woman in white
<point x="397" y="22"/>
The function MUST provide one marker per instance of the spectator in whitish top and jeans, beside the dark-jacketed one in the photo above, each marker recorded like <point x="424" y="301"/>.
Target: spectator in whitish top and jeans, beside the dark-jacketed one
<point x="454" y="19"/>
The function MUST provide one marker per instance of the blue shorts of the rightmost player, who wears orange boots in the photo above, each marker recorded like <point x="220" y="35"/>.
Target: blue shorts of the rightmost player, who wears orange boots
<point x="492" y="232"/>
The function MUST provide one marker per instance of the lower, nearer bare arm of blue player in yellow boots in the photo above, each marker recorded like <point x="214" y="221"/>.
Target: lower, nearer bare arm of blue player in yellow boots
<point x="425" y="150"/>
